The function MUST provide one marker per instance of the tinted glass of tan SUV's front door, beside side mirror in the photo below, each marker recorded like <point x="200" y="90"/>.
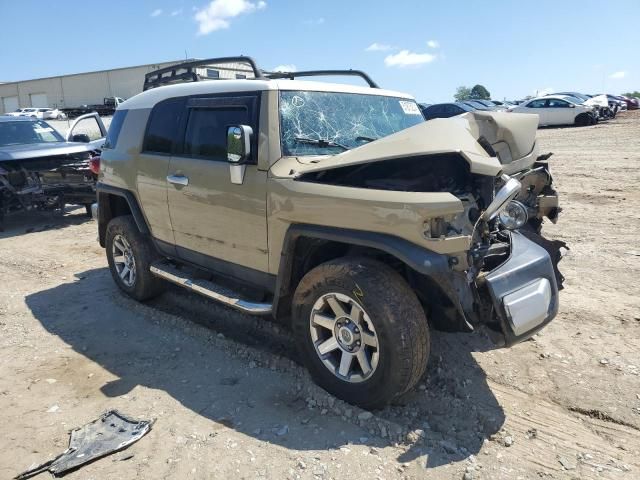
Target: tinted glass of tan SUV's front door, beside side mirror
<point x="206" y="134"/>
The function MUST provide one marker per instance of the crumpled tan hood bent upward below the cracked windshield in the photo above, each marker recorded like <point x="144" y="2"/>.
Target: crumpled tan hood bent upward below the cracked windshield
<point x="512" y="135"/>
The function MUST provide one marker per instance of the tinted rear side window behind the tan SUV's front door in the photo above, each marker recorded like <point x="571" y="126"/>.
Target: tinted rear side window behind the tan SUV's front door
<point x="163" y="126"/>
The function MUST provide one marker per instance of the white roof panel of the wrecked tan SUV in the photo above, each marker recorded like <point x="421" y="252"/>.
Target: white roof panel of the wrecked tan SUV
<point x="149" y="98"/>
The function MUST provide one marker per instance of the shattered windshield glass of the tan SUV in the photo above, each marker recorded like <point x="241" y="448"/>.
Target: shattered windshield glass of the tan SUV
<point x="327" y="123"/>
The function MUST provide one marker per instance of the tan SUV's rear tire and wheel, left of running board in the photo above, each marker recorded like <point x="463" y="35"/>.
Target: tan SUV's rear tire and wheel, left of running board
<point x="141" y="285"/>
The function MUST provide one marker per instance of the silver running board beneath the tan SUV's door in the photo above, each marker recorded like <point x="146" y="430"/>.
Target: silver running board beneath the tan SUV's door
<point x="209" y="289"/>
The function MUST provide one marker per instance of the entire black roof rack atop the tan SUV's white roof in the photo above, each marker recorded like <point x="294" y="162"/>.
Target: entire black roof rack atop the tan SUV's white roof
<point x="187" y="72"/>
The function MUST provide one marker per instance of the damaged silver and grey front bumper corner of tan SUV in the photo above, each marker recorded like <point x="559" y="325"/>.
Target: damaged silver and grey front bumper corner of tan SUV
<point x="523" y="290"/>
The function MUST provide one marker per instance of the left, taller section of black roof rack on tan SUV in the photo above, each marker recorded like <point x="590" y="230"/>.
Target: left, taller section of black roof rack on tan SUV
<point x="171" y="74"/>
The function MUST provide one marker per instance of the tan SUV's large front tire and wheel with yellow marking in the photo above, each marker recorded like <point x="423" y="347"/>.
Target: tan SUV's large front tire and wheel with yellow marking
<point x="390" y="311"/>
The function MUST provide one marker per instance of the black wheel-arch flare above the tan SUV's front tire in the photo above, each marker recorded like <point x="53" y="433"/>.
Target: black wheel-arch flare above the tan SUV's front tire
<point x="433" y="265"/>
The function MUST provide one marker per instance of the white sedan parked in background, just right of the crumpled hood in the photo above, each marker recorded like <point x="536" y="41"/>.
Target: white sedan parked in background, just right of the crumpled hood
<point x="558" y="110"/>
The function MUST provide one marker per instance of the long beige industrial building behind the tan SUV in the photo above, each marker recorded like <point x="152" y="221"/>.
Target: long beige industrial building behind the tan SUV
<point x="68" y="91"/>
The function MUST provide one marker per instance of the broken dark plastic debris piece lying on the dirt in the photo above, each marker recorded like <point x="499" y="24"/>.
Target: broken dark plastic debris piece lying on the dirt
<point x="110" y="433"/>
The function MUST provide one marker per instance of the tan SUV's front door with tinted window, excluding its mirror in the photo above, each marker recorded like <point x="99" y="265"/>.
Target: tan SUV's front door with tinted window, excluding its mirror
<point x="216" y="223"/>
